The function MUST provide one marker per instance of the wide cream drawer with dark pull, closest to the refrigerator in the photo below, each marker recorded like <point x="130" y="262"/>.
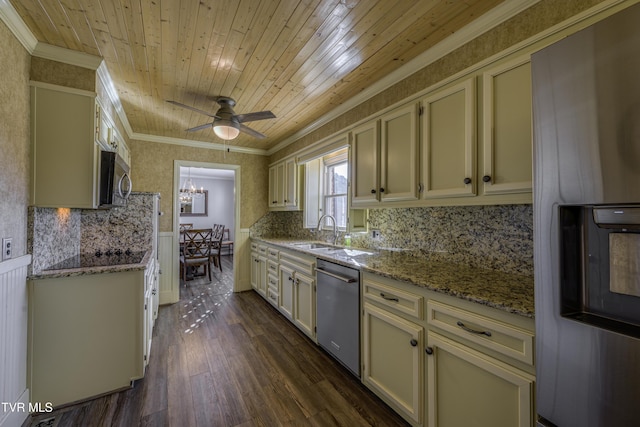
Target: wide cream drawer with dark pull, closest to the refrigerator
<point x="486" y="332"/>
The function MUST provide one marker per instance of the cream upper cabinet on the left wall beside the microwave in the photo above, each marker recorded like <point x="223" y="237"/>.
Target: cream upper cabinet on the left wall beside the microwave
<point x="64" y="149"/>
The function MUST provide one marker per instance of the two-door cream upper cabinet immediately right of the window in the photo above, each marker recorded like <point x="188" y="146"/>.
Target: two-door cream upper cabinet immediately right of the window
<point x="384" y="160"/>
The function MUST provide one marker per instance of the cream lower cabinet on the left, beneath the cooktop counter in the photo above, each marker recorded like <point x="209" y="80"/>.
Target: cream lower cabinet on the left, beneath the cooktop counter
<point x="88" y="335"/>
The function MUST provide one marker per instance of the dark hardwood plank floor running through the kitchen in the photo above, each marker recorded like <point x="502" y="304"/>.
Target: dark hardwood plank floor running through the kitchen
<point x="225" y="359"/>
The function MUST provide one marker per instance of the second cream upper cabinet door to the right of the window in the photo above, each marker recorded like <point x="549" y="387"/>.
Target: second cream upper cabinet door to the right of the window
<point x="399" y="155"/>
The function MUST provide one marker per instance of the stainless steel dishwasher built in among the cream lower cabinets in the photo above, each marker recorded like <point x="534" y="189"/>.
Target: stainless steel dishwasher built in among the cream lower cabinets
<point x="338" y="313"/>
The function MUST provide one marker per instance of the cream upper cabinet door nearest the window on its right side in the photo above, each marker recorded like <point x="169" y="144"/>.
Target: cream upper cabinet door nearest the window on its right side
<point x="365" y="164"/>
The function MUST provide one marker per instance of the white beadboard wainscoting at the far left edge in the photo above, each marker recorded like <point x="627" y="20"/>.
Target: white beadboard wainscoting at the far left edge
<point x="13" y="341"/>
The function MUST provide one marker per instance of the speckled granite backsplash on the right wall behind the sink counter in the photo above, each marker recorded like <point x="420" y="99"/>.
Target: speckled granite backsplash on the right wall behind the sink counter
<point x="492" y="237"/>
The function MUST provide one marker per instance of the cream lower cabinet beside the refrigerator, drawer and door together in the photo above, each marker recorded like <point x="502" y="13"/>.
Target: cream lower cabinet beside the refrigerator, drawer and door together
<point x="480" y="360"/>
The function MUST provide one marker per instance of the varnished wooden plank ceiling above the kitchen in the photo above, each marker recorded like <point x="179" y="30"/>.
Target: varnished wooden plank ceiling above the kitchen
<point x="297" y="58"/>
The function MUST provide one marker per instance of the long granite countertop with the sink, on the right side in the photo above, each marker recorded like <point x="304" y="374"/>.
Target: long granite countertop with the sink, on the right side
<point x="505" y="291"/>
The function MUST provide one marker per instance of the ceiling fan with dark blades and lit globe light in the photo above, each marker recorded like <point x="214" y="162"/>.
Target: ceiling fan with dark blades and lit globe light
<point x="226" y="123"/>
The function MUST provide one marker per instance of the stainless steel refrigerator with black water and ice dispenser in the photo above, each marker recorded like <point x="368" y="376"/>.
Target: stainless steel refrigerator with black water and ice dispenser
<point x="586" y="95"/>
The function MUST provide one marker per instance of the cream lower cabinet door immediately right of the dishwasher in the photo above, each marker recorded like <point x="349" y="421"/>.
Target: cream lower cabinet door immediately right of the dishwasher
<point x="393" y="360"/>
